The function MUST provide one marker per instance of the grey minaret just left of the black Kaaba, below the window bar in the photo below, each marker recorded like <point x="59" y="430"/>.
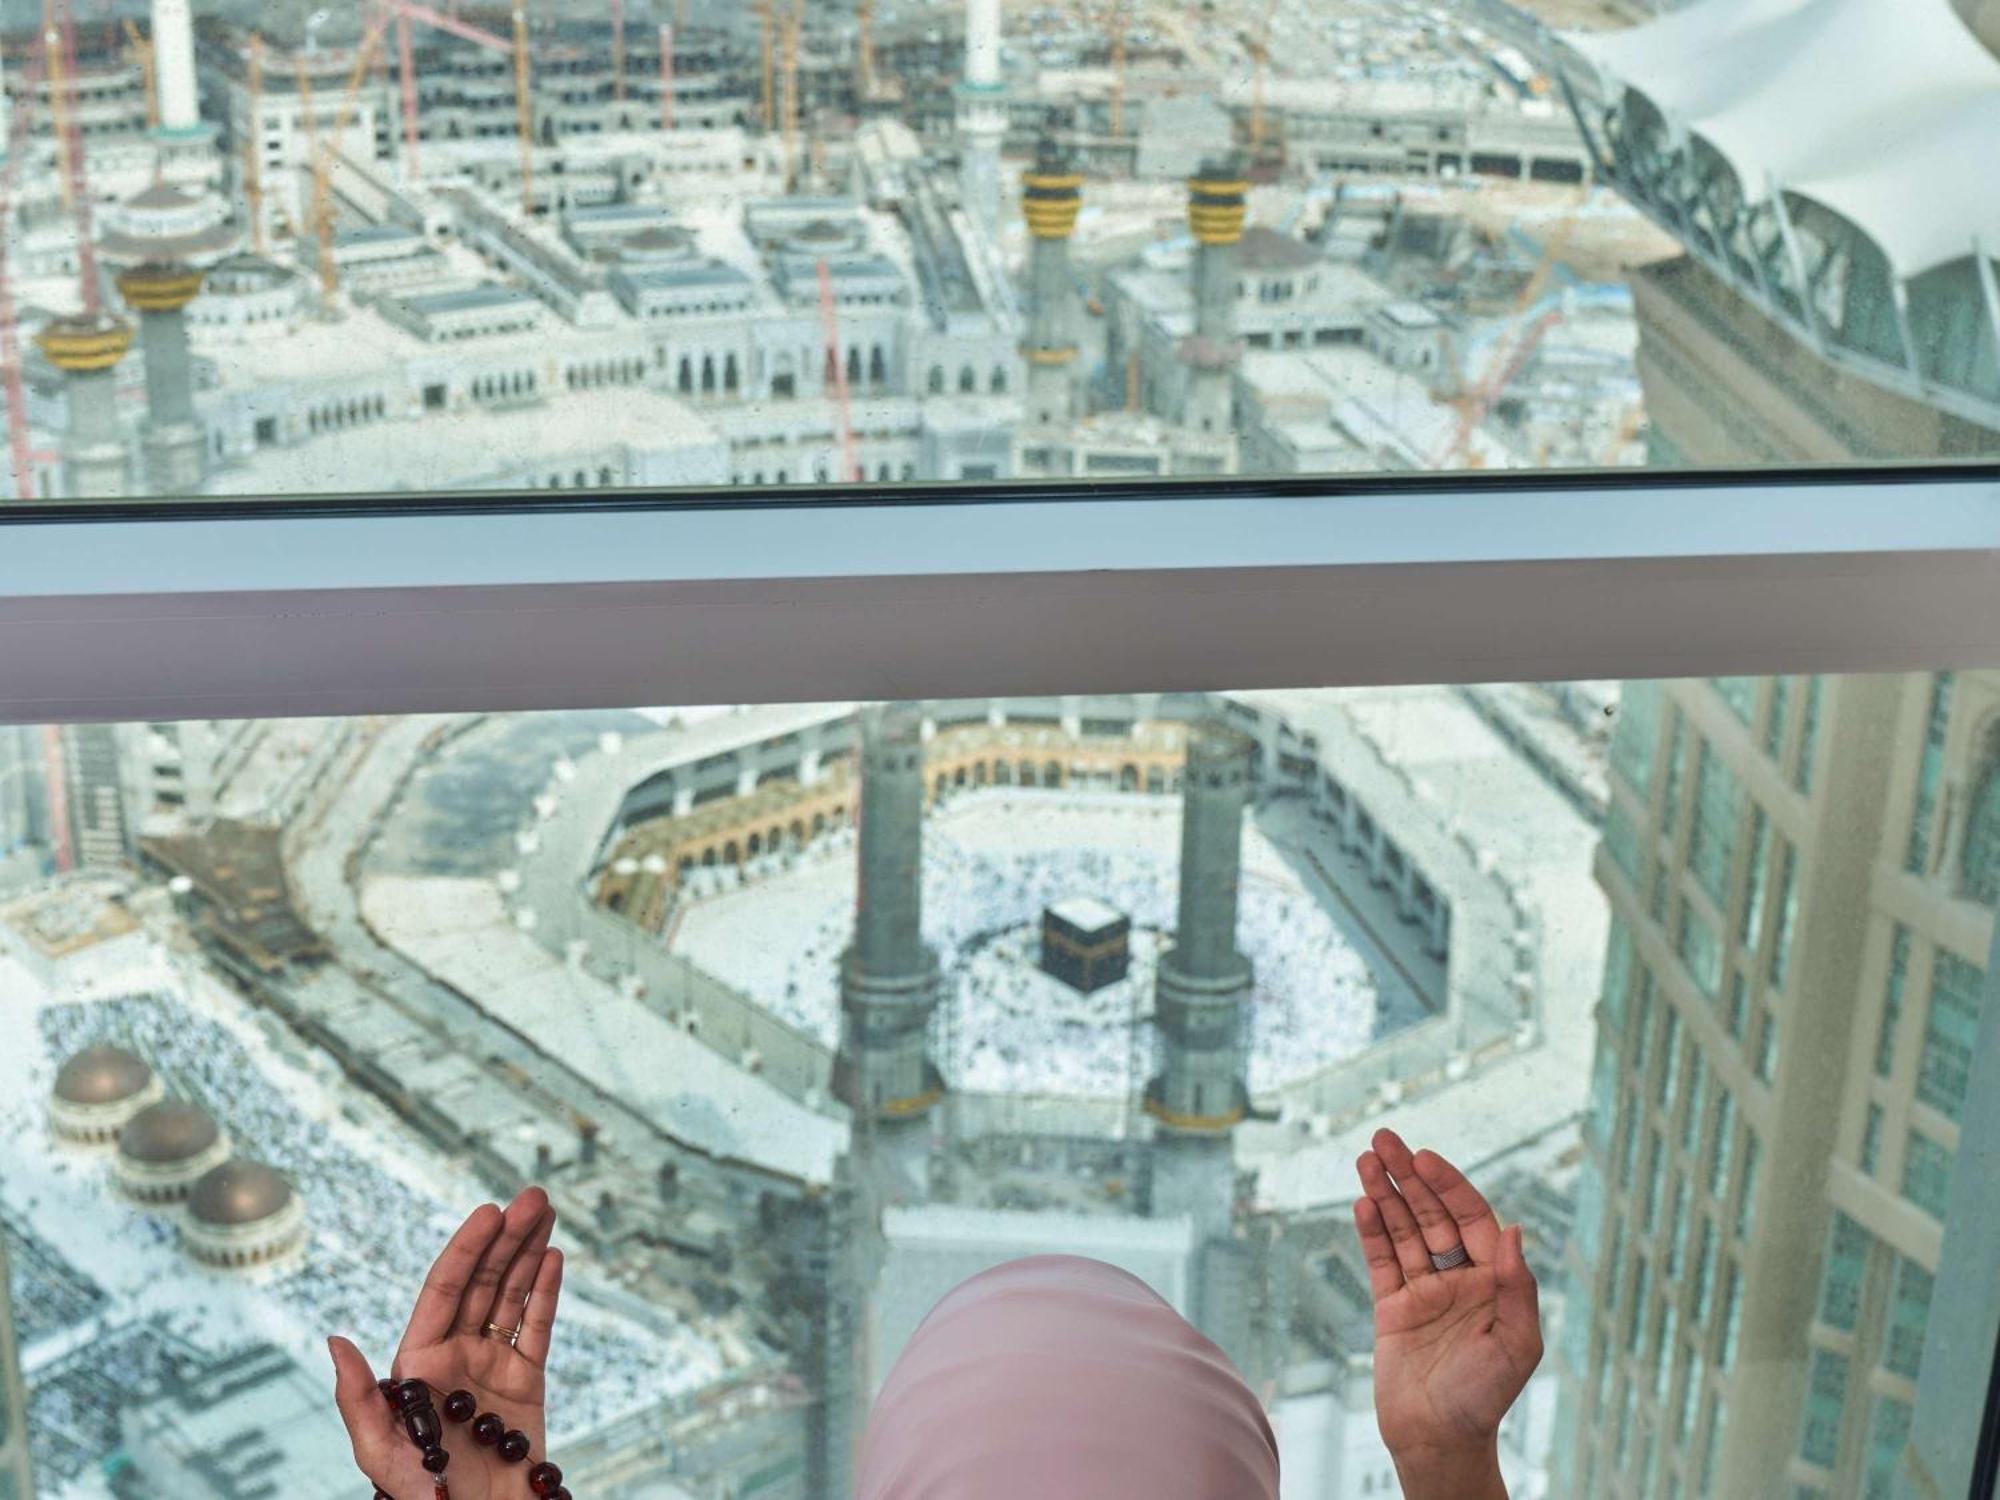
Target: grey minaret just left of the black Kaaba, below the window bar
<point x="889" y="979"/>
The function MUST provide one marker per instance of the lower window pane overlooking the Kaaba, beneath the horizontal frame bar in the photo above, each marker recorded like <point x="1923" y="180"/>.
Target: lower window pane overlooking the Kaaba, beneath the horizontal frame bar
<point x="413" y="963"/>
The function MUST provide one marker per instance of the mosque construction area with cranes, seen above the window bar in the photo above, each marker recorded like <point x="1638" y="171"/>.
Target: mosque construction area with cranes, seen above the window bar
<point x="687" y="247"/>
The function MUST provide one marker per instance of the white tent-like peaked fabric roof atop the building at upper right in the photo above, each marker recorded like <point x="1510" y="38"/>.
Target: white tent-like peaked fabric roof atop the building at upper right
<point x="1885" y="111"/>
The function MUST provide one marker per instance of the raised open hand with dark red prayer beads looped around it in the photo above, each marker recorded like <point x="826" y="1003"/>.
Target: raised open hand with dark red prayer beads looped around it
<point x="495" y="1273"/>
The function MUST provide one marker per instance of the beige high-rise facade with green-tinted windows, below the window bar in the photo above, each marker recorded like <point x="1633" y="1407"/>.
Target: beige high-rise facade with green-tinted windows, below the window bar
<point x="1801" y="875"/>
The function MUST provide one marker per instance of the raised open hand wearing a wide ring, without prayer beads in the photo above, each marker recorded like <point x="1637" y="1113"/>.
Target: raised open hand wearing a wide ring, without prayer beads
<point x="1453" y="1347"/>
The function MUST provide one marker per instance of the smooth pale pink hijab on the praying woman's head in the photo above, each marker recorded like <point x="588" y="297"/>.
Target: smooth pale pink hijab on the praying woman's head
<point x="1063" y="1379"/>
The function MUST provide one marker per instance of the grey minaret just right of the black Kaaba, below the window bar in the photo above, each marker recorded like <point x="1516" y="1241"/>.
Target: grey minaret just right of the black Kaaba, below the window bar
<point x="1203" y="989"/>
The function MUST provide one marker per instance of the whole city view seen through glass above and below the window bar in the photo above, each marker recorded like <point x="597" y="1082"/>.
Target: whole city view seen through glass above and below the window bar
<point x="803" y="1013"/>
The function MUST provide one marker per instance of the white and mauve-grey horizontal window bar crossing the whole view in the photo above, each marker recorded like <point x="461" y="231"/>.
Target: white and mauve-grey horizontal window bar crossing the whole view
<point x="531" y="605"/>
